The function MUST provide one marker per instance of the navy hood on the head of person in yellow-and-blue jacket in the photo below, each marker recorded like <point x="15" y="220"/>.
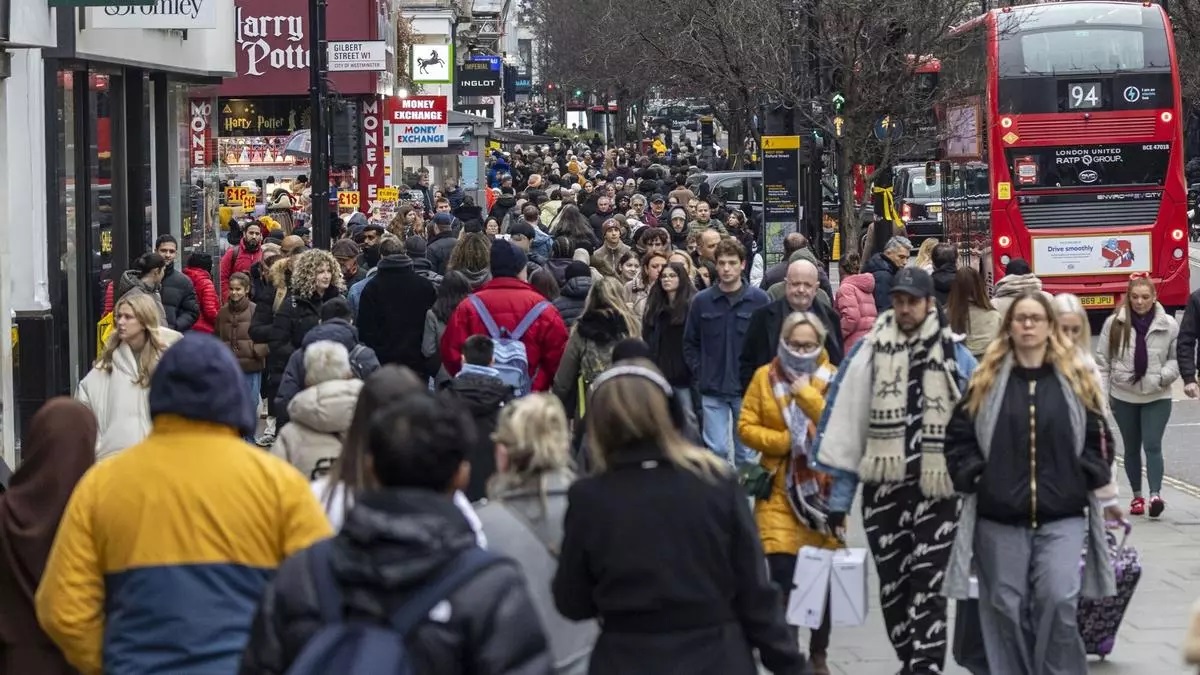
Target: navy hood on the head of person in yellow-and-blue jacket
<point x="200" y="379"/>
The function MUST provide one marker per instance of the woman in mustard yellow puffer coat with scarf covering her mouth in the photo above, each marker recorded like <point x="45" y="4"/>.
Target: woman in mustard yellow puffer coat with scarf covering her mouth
<point x="779" y="416"/>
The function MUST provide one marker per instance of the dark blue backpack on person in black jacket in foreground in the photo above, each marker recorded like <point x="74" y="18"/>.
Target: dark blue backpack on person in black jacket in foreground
<point x="363" y="648"/>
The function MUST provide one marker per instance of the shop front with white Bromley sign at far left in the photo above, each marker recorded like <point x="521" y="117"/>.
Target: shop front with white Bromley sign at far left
<point x="105" y="122"/>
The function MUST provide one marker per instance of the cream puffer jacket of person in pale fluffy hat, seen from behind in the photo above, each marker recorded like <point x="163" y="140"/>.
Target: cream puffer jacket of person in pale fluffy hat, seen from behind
<point x="320" y="419"/>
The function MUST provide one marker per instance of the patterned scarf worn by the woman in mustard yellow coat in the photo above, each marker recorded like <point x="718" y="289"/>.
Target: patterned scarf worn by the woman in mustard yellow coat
<point x="808" y="491"/>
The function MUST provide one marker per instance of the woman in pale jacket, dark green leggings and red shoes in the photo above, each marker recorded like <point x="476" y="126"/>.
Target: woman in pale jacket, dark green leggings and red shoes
<point x="1137" y="356"/>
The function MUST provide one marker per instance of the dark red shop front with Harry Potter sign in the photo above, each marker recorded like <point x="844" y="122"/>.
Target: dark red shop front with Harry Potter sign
<point x="248" y="121"/>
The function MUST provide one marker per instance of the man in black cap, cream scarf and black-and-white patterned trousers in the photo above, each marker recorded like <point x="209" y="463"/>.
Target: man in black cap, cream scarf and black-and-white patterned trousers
<point x="885" y="425"/>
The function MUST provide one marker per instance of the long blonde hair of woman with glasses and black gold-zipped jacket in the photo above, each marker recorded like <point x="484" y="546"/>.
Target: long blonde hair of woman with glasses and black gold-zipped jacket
<point x="1061" y="354"/>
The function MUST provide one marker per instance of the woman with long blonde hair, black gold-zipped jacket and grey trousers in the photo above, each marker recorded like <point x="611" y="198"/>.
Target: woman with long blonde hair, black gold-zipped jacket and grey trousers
<point x="1028" y="445"/>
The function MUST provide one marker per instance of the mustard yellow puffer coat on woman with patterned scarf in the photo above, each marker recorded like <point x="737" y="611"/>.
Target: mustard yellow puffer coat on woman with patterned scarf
<point x="761" y="427"/>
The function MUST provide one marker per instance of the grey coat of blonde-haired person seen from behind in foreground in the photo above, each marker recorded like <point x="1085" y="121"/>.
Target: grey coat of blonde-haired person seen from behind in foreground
<point x="519" y="524"/>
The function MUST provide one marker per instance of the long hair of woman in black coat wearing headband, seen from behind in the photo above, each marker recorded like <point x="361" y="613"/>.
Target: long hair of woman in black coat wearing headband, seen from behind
<point x="634" y="410"/>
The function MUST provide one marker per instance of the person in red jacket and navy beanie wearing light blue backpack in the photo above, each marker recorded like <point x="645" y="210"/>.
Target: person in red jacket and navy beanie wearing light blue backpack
<point x="507" y="307"/>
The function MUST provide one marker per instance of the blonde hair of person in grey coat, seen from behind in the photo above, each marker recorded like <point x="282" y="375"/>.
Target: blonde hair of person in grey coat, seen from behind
<point x="533" y="432"/>
